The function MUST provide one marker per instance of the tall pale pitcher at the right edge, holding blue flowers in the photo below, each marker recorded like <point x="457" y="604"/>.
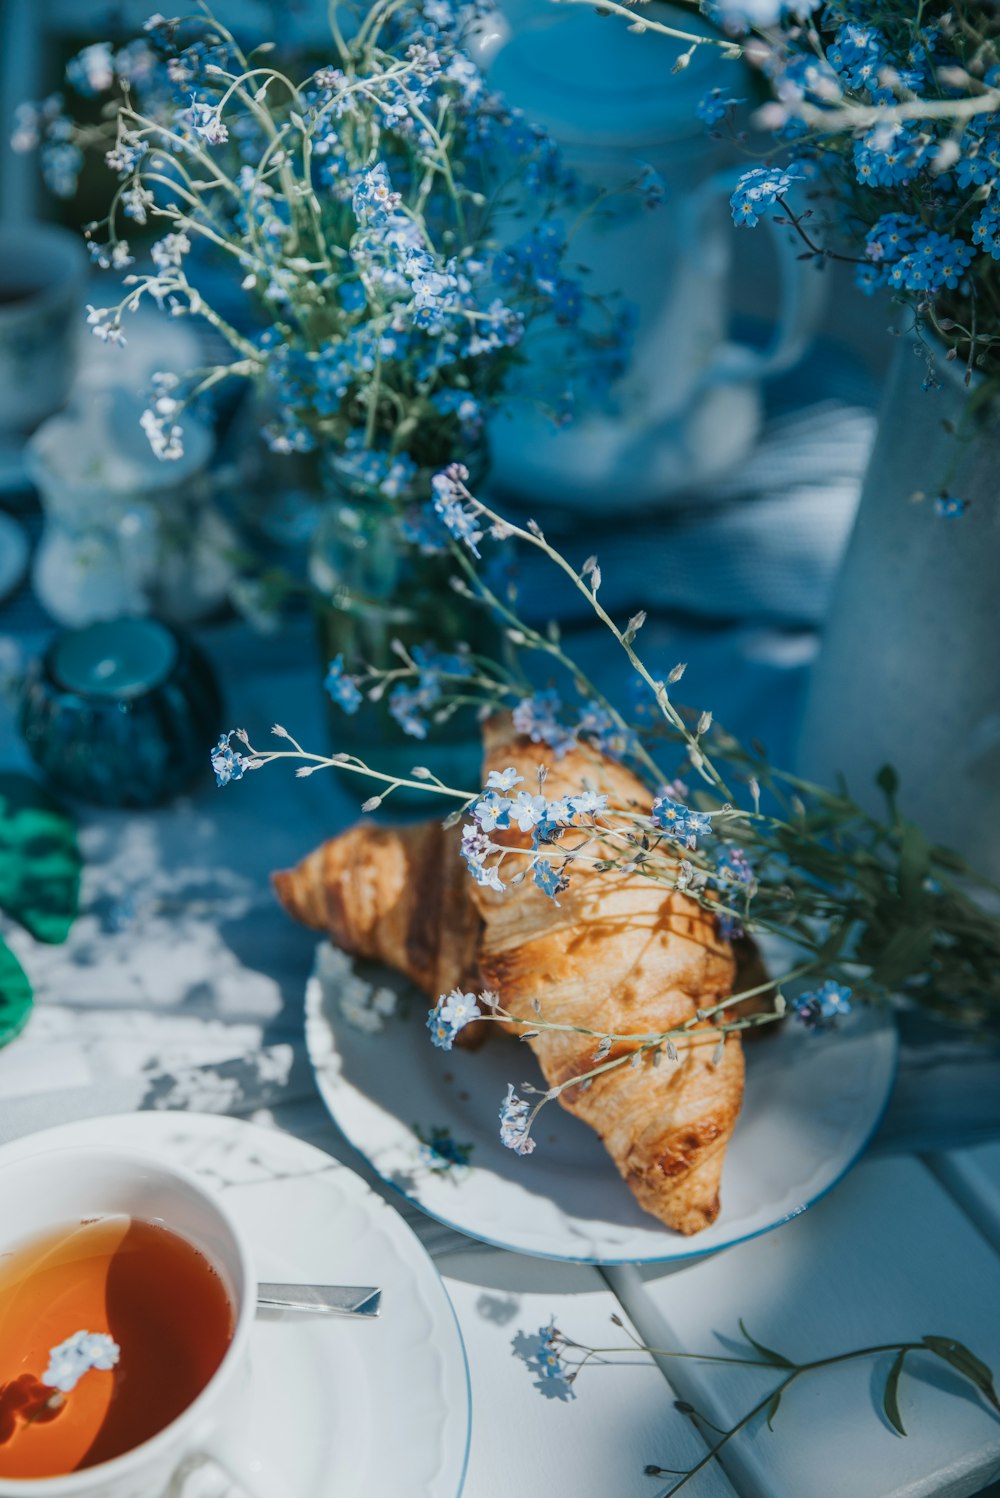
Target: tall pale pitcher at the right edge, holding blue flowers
<point x="908" y="672"/>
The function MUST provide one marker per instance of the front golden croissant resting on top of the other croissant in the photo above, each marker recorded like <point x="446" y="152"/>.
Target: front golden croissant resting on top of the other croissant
<point x="621" y="955"/>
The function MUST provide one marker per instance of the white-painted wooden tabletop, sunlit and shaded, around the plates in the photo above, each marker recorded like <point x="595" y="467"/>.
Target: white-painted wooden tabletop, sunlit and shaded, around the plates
<point x="182" y="986"/>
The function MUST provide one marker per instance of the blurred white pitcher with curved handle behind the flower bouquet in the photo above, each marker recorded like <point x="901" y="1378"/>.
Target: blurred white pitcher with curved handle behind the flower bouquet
<point x="691" y="404"/>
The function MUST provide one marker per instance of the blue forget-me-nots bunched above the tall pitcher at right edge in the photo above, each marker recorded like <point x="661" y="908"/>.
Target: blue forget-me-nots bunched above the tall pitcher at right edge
<point x="887" y="127"/>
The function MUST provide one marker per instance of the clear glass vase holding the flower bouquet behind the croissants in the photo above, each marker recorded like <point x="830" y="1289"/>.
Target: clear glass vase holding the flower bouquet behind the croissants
<point x="374" y="586"/>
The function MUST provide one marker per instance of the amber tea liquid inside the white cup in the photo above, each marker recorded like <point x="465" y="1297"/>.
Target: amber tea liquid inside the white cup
<point x="156" y="1295"/>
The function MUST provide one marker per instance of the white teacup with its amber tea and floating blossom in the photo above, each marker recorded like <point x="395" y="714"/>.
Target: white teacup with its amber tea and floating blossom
<point x="126" y="1309"/>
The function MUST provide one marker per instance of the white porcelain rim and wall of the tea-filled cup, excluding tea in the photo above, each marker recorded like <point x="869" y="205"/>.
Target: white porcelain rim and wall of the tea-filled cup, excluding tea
<point x="64" y="1186"/>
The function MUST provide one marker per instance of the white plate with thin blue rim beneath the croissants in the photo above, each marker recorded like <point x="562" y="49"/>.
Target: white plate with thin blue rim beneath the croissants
<point x="811" y="1108"/>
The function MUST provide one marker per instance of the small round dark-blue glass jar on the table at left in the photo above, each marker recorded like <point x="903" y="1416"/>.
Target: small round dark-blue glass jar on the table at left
<point x="122" y="714"/>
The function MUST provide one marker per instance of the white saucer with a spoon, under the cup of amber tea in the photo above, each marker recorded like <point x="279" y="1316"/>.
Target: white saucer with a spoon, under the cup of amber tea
<point x="324" y="1391"/>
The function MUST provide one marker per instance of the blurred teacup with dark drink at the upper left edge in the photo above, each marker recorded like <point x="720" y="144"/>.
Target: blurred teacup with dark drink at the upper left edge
<point x="43" y="275"/>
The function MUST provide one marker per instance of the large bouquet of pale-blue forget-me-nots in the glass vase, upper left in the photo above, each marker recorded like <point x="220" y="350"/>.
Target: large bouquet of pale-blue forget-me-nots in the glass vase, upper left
<point x="360" y="210"/>
